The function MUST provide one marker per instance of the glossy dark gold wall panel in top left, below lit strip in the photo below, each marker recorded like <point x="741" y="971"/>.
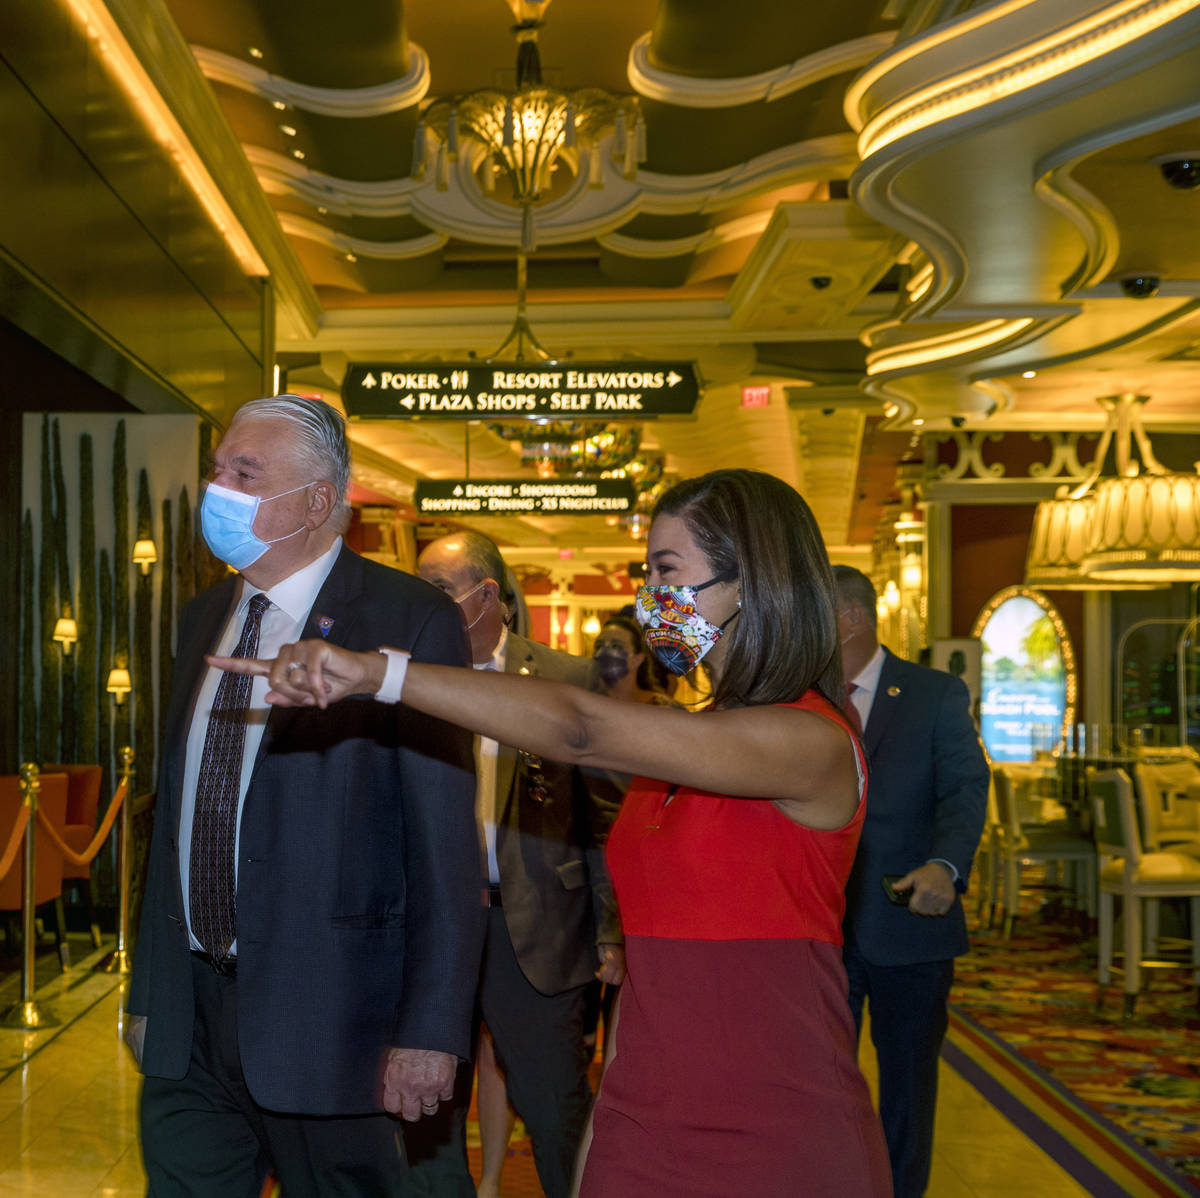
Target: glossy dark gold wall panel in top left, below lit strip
<point x="106" y="256"/>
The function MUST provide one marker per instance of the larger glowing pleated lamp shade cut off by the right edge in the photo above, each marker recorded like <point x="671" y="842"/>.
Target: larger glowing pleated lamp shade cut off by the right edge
<point x="1145" y="530"/>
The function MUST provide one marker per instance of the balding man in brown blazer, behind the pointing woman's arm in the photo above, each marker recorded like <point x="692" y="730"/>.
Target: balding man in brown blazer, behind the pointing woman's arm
<point x="553" y="919"/>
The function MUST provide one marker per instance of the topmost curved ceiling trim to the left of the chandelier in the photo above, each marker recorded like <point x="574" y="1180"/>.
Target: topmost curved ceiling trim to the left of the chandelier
<point x="350" y="103"/>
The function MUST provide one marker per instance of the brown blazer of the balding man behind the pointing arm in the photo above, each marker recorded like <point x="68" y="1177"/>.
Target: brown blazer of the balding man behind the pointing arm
<point x="559" y="901"/>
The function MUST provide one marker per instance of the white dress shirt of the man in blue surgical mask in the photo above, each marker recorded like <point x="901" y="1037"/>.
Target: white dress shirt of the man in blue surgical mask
<point x="283" y="625"/>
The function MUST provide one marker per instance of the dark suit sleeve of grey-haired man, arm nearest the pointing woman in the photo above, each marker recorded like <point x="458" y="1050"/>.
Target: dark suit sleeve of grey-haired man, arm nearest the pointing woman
<point x="443" y="923"/>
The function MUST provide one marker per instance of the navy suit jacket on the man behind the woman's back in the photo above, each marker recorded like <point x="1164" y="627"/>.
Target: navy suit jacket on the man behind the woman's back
<point x="927" y="798"/>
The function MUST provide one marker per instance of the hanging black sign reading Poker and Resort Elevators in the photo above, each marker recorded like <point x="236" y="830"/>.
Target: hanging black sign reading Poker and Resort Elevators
<point x="639" y="391"/>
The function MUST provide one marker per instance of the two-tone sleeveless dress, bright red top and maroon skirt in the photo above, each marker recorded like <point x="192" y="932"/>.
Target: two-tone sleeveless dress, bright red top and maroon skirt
<point x="735" y="1071"/>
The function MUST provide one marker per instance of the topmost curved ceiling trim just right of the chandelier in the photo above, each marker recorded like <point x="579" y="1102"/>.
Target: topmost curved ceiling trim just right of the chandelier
<point x="694" y="92"/>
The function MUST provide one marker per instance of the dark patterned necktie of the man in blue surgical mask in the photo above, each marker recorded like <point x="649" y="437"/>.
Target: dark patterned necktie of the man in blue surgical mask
<point x="215" y="819"/>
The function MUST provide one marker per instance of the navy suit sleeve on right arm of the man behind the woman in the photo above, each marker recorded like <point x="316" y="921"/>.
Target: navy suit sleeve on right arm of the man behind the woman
<point x="961" y="782"/>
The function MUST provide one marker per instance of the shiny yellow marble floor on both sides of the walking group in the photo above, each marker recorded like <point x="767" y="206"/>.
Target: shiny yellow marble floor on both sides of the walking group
<point x="69" y="1112"/>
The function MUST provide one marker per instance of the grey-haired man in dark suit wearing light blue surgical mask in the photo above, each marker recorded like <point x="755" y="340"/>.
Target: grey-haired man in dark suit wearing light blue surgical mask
<point x="311" y="930"/>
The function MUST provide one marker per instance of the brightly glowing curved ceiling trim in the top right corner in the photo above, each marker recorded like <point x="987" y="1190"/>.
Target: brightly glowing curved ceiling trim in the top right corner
<point x="1065" y="50"/>
